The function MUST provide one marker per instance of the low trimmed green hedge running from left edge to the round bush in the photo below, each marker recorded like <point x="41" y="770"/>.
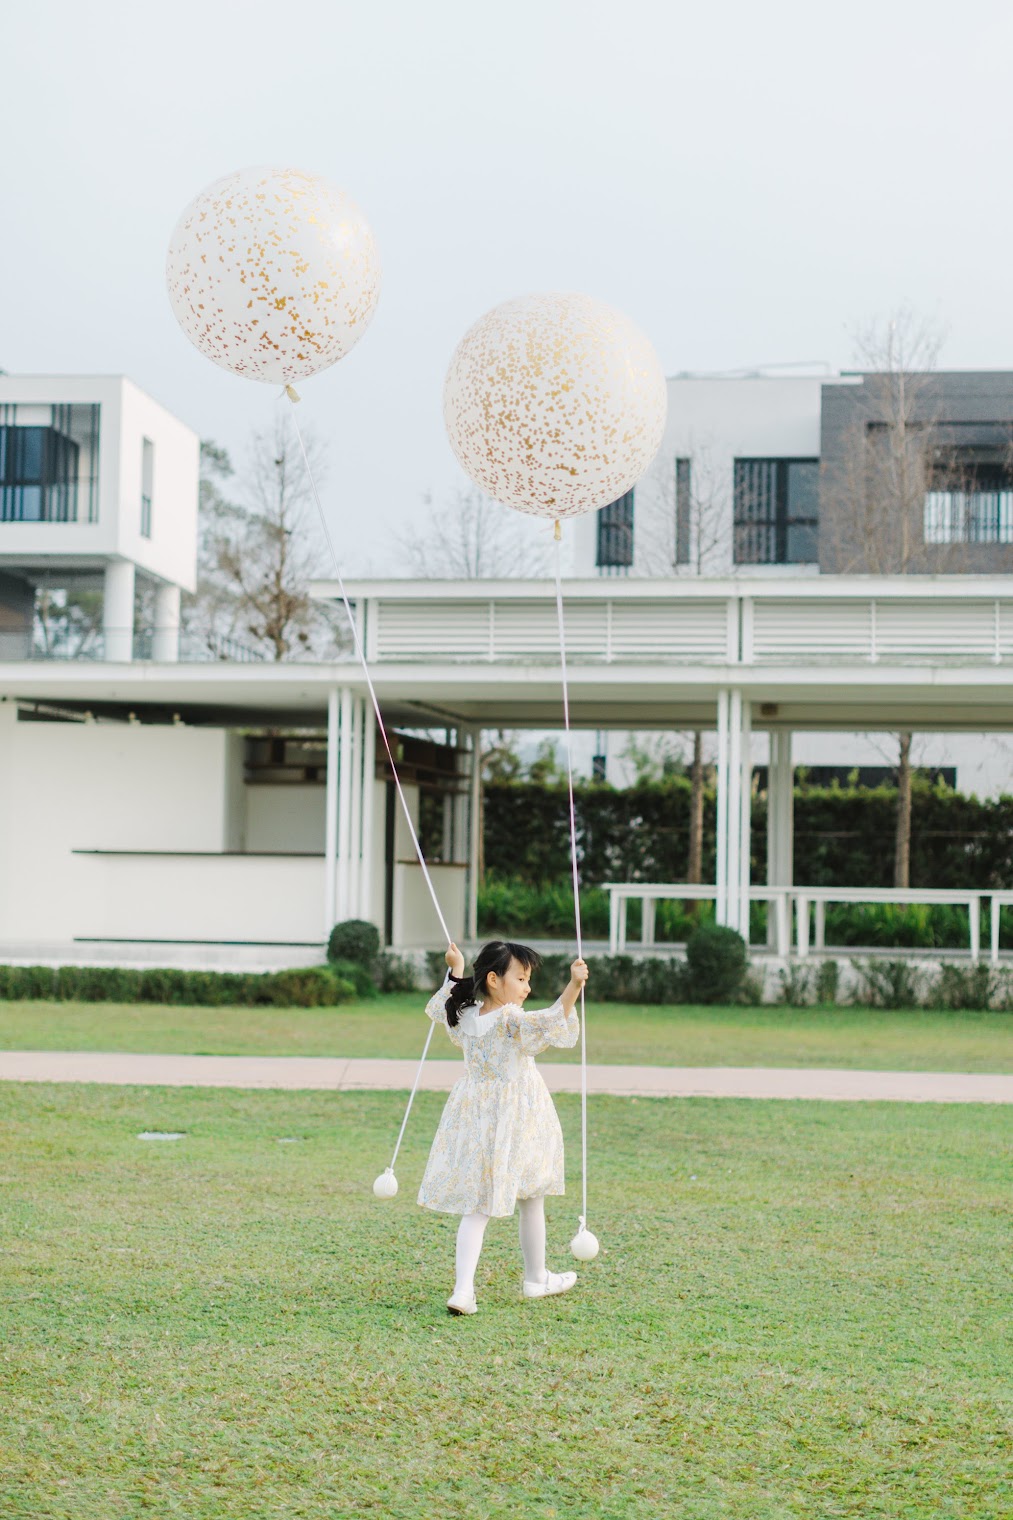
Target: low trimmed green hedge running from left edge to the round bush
<point x="302" y="987"/>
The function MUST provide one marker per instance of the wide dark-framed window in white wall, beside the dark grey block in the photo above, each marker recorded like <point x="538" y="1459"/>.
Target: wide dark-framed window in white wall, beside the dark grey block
<point x="776" y="511"/>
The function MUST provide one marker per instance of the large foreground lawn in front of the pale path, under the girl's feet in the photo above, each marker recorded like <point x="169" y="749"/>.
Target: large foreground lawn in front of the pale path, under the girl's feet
<point x="801" y="1313"/>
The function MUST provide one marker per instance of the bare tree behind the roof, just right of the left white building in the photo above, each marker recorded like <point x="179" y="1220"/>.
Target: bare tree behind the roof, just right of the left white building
<point x="258" y="556"/>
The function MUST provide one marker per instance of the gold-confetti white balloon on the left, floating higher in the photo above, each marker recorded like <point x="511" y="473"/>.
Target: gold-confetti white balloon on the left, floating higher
<point x="273" y="274"/>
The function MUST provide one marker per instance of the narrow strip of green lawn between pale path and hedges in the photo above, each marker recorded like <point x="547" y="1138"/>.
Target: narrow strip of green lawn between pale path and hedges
<point x="396" y="1025"/>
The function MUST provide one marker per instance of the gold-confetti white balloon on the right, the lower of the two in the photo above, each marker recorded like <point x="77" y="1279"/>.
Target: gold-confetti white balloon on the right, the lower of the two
<point x="554" y="404"/>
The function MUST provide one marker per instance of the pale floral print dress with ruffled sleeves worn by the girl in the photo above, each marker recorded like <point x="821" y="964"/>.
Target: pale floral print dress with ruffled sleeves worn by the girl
<point x="500" y="1136"/>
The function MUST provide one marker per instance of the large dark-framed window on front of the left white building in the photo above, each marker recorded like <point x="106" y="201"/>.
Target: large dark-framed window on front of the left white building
<point x="49" y="464"/>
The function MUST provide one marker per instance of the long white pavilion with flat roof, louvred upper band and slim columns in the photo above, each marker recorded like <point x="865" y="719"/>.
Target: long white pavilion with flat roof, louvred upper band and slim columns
<point x="737" y="656"/>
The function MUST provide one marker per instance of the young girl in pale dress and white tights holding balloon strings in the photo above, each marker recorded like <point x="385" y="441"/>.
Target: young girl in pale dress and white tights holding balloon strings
<point x="500" y="1141"/>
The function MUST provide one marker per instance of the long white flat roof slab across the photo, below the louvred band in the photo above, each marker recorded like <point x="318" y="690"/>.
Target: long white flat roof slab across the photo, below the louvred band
<point x="956" y="697"/>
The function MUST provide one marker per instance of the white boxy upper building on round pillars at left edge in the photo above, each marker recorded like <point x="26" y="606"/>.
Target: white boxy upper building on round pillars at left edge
<point x="98" y="493"/>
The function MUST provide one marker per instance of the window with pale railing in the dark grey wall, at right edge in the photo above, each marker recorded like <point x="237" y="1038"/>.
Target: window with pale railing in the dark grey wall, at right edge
<point x="970" y="499"/>
